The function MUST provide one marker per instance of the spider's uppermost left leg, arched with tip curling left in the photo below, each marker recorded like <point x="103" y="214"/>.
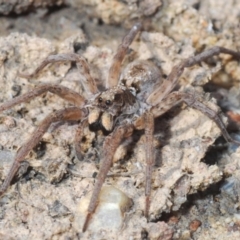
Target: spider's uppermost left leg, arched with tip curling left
<point x="82" y="65"/>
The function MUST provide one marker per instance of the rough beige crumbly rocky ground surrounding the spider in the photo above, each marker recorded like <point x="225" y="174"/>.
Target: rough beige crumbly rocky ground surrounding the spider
<point x="195" y="193"/>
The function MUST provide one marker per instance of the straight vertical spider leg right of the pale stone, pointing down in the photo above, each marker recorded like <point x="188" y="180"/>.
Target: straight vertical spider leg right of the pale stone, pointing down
<point x="150" y="159"/>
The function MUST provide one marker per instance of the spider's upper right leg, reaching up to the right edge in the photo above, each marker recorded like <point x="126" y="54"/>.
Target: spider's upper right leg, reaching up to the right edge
<point x="168" y="85"/>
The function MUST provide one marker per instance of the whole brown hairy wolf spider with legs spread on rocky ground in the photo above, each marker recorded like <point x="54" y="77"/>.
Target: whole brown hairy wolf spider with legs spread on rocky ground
<point x="120" y="109"/>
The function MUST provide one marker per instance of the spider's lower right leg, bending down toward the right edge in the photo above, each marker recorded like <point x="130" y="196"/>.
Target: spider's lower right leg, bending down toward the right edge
<point x="191" y="100"/>
